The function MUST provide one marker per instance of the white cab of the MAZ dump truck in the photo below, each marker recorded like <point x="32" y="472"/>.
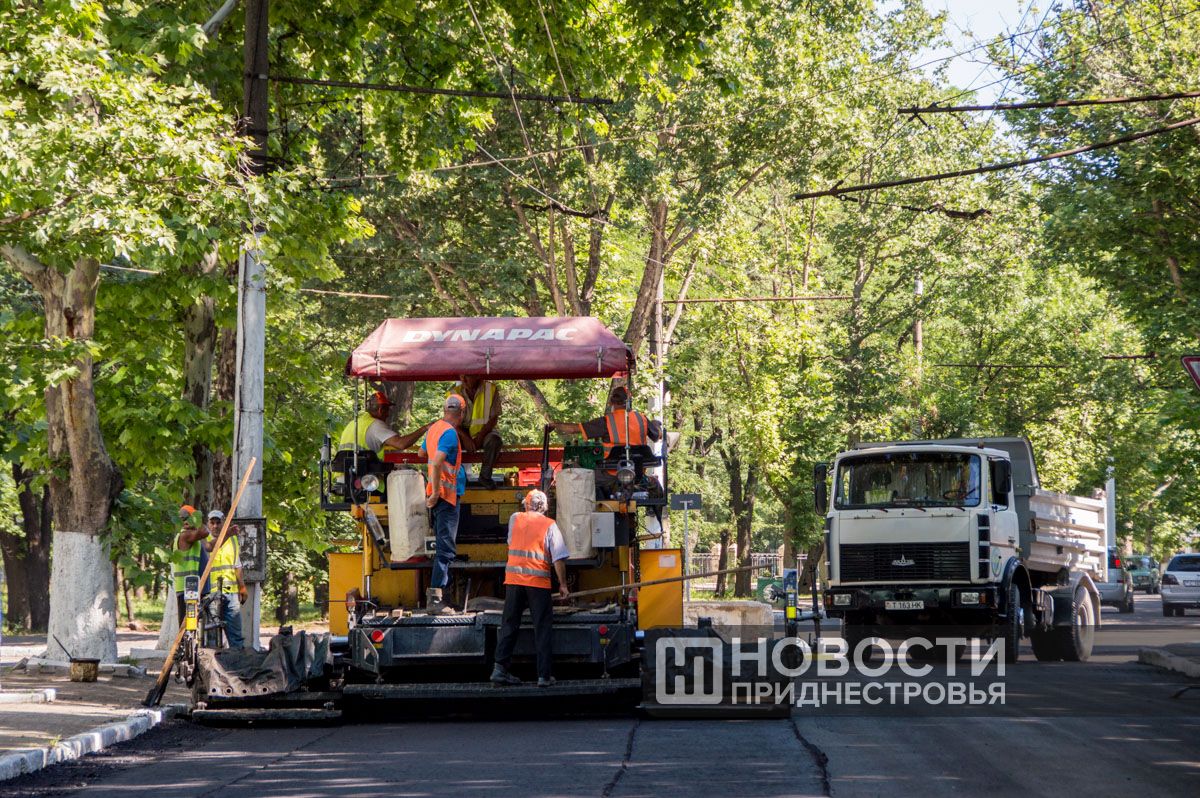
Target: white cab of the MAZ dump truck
<point x="920" y="529"/>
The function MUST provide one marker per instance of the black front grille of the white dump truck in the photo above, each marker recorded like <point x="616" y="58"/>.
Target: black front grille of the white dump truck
<point x="905" y="562"/>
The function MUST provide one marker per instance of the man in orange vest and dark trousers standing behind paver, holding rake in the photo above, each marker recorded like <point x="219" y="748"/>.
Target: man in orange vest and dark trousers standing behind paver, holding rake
<point x="536" y="543"/>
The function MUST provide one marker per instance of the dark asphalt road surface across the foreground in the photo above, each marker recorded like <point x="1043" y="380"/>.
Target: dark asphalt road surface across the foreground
<point x="1106" y="728"/>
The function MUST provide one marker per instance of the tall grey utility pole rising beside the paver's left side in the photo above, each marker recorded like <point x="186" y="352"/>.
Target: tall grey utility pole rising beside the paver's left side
<point x="248" y="431"/>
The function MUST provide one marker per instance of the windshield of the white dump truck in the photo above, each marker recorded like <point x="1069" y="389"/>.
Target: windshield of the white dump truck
<point x="908" y="479"/>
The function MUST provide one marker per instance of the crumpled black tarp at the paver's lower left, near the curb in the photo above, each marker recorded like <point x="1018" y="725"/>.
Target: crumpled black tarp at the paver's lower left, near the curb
<point x="291" y="663"/>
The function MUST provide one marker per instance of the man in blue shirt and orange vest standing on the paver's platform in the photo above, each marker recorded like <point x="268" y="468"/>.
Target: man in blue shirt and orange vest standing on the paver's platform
<point x="447" y="482"/>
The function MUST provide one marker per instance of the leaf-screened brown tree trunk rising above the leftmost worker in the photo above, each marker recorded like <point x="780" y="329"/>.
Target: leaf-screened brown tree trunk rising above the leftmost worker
<point x="200" y="351"/>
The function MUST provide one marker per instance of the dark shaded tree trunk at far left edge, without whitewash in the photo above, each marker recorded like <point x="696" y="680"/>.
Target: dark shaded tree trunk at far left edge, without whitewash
<point x="27" y="561"/>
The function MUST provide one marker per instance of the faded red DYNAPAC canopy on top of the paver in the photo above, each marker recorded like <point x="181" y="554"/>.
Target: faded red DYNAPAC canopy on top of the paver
<point x="497" y="349"/>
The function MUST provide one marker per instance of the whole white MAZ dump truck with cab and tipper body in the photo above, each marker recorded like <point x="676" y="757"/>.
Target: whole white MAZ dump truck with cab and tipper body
<point x="959" y="533"/>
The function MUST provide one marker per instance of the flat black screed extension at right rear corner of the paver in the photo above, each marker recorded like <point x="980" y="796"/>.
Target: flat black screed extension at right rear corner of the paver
<point x="707" y="674"/>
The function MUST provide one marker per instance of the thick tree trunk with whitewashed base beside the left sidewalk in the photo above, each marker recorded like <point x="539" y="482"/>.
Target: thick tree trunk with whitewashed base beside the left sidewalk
<point x="85" y="482"/>
